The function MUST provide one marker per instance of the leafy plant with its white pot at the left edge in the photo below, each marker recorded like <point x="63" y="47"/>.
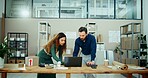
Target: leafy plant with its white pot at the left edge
<point x="4" y="49"/>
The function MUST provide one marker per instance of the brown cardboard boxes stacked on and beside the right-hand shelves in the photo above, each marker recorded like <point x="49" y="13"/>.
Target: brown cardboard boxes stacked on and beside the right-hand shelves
<point x="129" y="43"/>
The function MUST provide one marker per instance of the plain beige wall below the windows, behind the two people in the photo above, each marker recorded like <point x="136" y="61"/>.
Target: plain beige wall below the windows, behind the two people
<point x="66" y="25"/>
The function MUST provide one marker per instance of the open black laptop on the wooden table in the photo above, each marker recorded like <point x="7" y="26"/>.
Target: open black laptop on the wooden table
<point x="73" y="61"/>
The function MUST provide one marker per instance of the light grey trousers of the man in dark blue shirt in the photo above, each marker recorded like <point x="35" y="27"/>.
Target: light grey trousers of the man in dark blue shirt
<point x="85" y="59"/>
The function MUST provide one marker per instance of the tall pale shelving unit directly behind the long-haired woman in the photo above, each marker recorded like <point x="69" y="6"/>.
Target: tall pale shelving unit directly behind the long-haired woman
<point x="44" y="31"/>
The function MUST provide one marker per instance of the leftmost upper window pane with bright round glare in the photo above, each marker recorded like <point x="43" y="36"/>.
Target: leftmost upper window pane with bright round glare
<point x="18" y="8"/>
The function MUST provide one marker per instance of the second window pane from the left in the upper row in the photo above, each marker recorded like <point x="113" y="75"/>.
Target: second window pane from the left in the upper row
<point x="46" y="8"/>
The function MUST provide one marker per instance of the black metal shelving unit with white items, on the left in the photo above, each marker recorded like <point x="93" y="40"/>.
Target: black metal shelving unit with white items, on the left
<point x="18" y="42"/>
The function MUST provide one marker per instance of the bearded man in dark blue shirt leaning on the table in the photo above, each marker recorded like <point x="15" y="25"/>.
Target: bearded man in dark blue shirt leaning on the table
<point x="87" y="43"/>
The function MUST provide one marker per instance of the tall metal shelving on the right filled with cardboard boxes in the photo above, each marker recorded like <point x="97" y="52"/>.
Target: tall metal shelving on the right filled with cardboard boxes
<point x="131" y="45"/>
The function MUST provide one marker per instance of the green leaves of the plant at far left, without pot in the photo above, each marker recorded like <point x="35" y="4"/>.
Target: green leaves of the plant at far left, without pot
<point x="4" y="49"/>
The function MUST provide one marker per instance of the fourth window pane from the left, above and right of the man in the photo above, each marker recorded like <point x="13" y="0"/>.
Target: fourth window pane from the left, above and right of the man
<point x="101" y="9"/>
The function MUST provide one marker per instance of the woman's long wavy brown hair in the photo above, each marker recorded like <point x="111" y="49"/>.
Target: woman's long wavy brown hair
<point x="55" y="41"/>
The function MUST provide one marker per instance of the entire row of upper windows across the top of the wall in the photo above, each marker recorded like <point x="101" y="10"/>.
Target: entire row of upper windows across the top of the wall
<point x="100" y="9"/>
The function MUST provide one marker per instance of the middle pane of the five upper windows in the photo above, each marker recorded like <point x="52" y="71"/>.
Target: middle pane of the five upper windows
<point x="73" y="9"/>
